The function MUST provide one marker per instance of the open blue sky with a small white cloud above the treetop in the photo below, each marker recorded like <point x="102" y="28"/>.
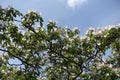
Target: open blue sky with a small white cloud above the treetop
<point x="72" y="13"/>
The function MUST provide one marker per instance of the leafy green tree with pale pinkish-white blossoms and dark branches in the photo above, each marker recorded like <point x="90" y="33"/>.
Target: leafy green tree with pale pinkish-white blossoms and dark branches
<point x="51" y="52"/>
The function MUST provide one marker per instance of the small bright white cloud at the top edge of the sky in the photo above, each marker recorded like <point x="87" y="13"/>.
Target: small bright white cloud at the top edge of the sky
<point x="74" y="3"/>
